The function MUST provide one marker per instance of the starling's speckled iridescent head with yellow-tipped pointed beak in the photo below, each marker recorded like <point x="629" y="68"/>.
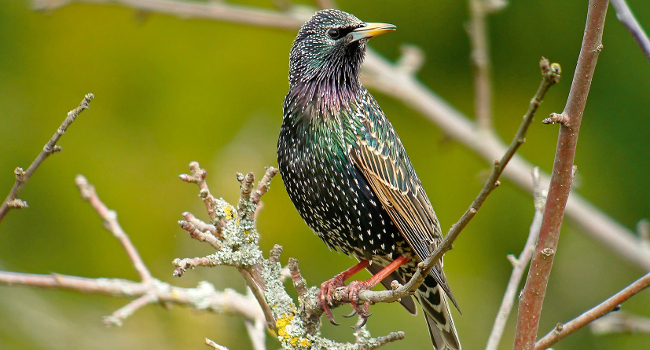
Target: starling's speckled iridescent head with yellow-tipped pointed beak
<point x="330" y="48"/>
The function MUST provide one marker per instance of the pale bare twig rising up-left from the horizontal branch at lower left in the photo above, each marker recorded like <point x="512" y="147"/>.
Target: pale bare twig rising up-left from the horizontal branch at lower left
<point x="111" y="224"/>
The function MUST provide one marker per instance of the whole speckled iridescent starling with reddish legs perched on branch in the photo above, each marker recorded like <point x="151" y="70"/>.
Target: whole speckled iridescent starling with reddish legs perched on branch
<point x="348" y="175"/>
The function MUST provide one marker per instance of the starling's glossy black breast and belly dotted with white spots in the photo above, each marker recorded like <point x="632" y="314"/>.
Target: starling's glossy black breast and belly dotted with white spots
<point x="334" y="199"/>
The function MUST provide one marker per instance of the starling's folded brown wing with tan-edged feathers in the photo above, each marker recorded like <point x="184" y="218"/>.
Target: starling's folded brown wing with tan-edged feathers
<point x="402" y="196"/>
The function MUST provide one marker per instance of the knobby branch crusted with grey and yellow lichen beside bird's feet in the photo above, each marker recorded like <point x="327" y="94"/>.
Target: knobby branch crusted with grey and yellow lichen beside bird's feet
<point x="296" y="325"/>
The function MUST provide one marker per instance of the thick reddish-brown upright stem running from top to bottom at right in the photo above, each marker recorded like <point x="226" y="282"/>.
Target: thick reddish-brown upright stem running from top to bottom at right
<point x="530" y="303"/>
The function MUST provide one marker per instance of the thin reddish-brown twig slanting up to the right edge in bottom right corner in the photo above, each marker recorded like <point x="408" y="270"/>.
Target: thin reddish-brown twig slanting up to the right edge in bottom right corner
<point x="562" y="330"/>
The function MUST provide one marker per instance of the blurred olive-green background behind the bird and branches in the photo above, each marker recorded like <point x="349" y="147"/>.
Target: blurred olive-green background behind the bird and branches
<point x="170" y="91"/>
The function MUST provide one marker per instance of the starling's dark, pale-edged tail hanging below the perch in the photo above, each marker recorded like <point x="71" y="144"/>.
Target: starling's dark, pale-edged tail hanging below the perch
<point x="436" y="310"/>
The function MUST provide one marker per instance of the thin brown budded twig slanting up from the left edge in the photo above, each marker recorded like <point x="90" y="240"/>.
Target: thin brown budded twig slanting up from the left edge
<point x="51" y="147"/>
